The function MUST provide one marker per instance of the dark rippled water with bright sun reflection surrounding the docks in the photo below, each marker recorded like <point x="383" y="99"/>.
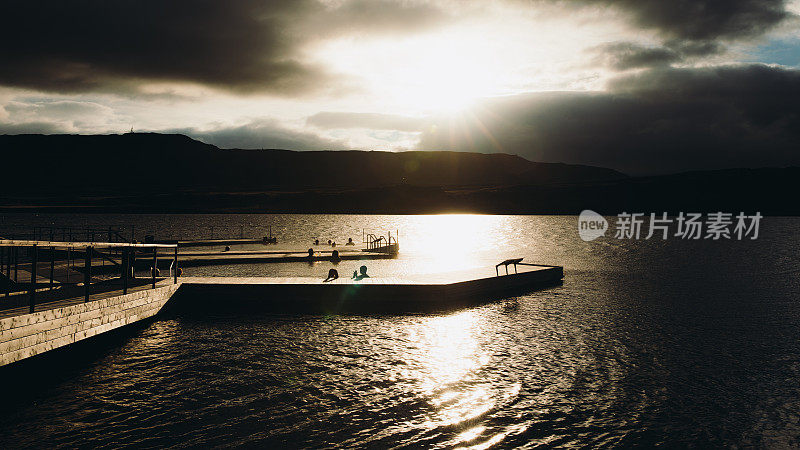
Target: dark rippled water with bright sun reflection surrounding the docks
<point x="677" y="343"/>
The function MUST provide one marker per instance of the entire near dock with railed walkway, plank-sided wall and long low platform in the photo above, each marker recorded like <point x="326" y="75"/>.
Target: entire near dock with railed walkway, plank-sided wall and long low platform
<point x="53" y="315"/>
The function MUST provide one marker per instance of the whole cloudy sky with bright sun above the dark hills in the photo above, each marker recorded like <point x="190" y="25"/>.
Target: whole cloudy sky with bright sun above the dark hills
<point x="642" y="86"/>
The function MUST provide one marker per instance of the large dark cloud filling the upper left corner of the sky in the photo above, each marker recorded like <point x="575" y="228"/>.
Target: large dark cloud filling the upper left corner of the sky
<point x="246" y="45"/>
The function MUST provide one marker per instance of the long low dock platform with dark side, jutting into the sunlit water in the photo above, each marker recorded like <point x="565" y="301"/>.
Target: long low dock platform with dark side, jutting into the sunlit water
<point x="413" y="293"/>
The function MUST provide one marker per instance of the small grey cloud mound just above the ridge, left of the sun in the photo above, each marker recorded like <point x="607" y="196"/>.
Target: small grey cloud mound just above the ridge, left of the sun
<point x="260" y="134"/>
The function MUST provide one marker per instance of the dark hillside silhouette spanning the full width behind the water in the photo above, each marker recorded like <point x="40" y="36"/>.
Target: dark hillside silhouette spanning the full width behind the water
<point x="173" y="173"/>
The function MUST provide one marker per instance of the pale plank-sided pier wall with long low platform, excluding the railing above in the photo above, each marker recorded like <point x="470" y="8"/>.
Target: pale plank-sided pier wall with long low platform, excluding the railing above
<point x="57" y="324"/>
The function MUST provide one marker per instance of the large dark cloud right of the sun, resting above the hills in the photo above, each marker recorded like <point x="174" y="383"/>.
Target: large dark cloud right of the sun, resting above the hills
<point x="659" y="121"/>
